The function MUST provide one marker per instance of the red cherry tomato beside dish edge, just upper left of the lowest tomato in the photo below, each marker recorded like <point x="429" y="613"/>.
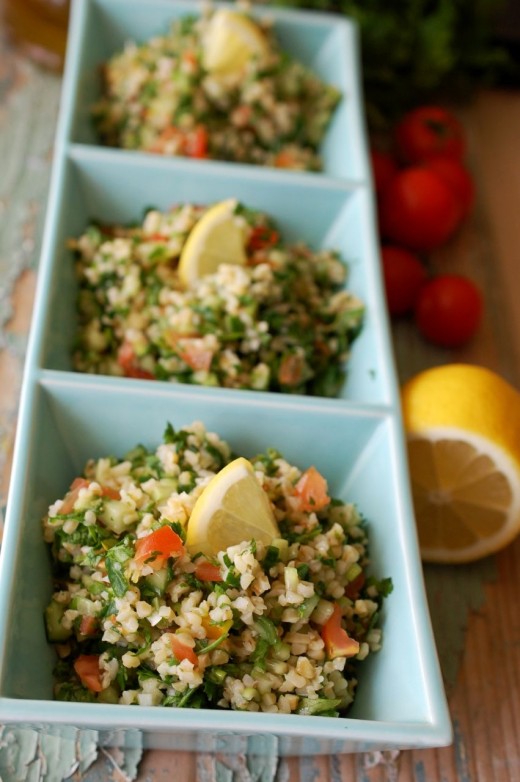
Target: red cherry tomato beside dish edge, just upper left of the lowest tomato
<point x="404" y="275"/>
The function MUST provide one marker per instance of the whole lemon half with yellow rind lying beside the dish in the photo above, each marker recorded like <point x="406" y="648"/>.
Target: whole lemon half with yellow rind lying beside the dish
<point x="463" y="436"/>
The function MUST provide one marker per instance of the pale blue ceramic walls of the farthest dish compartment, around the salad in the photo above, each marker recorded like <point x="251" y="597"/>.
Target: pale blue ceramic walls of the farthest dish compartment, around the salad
<point x="326" y="43"/>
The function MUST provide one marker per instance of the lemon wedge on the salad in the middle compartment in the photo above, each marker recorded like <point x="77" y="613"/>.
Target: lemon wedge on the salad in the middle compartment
<point x="218" y="237"/>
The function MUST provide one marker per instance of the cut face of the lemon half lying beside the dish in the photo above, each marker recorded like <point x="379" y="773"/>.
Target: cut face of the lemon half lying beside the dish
<point x="466" y="496"/>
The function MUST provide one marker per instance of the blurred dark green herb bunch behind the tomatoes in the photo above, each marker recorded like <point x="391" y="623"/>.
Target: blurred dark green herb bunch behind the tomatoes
<point x="415" y="51"/>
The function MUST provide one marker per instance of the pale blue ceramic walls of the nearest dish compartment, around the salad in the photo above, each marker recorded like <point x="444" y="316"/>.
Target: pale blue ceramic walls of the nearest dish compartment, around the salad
<point x="400" y="700"/>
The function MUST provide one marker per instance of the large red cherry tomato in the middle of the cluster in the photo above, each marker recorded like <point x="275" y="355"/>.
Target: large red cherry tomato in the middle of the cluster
<point x="418" y="209"/>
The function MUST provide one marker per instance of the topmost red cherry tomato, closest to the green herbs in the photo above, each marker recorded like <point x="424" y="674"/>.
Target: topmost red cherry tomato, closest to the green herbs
<point x="427" y="131"/>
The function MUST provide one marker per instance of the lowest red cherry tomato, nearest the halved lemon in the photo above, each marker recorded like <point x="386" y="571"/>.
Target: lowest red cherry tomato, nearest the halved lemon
<point x="448" y="310"/>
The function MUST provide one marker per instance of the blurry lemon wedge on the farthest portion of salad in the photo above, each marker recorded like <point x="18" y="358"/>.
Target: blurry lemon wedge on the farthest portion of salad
<point x="230" y="41"/>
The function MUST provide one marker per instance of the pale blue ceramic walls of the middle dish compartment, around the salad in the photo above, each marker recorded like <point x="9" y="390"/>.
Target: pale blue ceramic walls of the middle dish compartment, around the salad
<point x="101" y="185"/>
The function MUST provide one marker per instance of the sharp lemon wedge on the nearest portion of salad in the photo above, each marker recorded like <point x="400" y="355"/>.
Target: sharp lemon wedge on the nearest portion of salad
<point x="232" y="508"/>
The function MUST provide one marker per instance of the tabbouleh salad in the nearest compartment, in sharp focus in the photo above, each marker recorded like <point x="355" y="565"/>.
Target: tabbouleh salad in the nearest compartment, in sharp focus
<point x="136" y="619"/>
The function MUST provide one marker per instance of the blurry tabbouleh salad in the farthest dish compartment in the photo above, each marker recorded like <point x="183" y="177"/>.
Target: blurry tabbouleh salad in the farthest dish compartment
<point x="159" y="97"/>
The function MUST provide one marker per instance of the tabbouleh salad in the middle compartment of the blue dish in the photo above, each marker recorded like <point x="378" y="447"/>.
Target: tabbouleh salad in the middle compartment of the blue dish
<point x="282" y="322"/>
